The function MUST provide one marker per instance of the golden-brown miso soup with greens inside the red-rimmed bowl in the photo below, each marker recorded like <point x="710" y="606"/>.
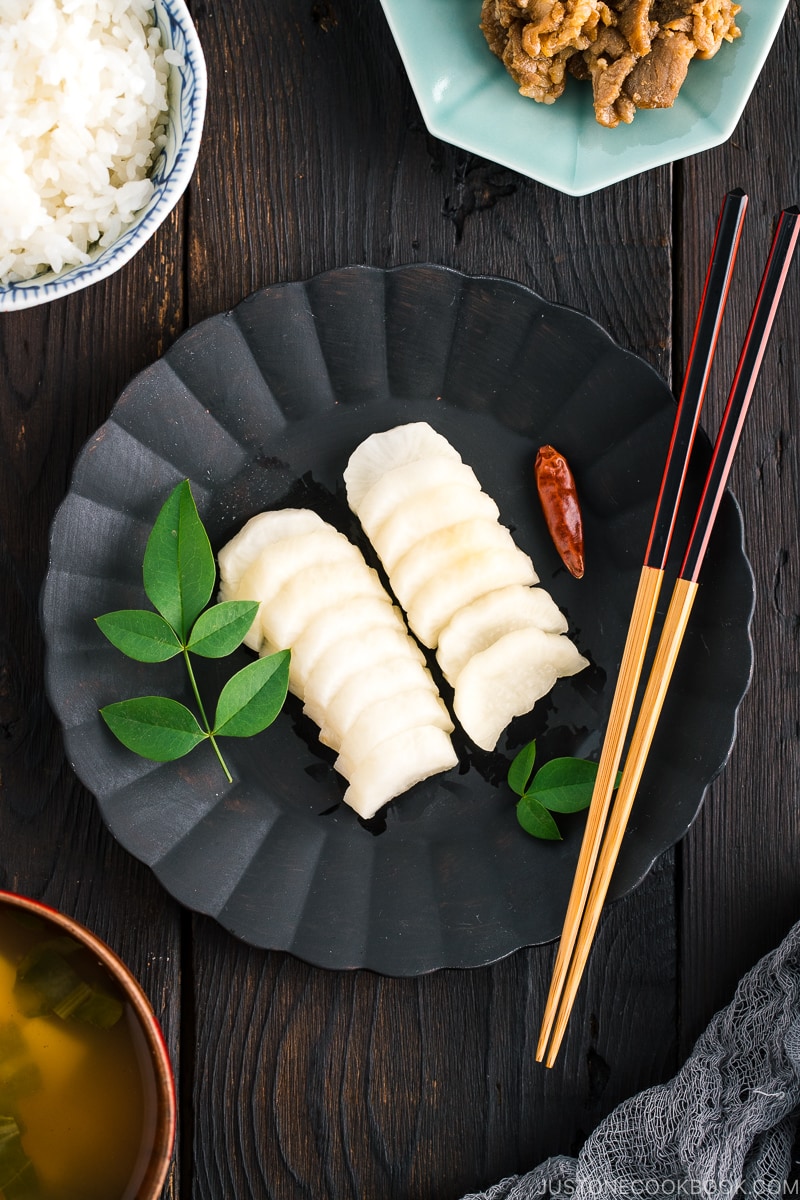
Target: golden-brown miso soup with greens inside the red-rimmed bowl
<point x="77" y="1087"/>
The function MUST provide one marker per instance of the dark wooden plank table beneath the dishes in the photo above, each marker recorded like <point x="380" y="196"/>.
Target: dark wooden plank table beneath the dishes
<point x="297" y="1082"/>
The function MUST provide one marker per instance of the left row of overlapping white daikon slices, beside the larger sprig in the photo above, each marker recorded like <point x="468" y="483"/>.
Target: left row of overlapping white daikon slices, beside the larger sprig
<point x="353" y="661"/>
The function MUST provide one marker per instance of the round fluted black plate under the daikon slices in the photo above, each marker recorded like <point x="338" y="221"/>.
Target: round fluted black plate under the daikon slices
<point x="261" y="407"/>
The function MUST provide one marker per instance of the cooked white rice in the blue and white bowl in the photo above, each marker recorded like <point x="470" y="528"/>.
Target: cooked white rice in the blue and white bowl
<point x="83" y="97"/>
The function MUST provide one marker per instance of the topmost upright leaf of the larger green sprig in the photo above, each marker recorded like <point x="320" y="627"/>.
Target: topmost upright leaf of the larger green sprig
<point x="179" y="571"/>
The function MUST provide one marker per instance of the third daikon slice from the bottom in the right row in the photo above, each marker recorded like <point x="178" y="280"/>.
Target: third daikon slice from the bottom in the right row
<point x="436" y="603"/>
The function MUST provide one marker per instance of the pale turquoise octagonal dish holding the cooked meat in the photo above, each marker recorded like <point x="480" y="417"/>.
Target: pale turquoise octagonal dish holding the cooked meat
<point x="468" y="99"/>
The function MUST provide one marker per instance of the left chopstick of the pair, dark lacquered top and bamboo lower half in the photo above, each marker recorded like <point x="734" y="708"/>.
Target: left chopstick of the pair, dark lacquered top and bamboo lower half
<point x="707" y="331"/>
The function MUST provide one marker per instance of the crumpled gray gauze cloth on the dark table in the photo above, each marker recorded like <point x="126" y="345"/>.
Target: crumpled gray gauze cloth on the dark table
<point x="724" y="1127"/>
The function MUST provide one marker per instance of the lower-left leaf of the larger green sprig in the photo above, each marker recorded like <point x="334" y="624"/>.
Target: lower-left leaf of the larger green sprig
<point x="154" y="727"/>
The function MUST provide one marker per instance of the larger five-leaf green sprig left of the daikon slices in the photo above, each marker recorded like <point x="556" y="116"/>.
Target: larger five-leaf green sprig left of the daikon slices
<point x="179" y="575"/>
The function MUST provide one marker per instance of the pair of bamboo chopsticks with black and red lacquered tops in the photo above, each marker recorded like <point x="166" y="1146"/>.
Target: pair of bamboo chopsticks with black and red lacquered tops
<point x="604" y="832"/>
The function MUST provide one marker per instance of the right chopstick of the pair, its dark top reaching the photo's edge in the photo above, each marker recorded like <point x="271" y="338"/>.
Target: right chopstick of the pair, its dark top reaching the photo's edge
<point x="683" y="598"/>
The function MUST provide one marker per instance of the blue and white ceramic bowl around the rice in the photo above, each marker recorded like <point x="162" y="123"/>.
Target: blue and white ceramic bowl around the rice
<point x="172" y="172"/>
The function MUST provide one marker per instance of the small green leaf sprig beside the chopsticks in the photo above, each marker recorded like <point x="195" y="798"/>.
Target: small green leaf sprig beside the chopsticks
<point x="562" y="785"/>
